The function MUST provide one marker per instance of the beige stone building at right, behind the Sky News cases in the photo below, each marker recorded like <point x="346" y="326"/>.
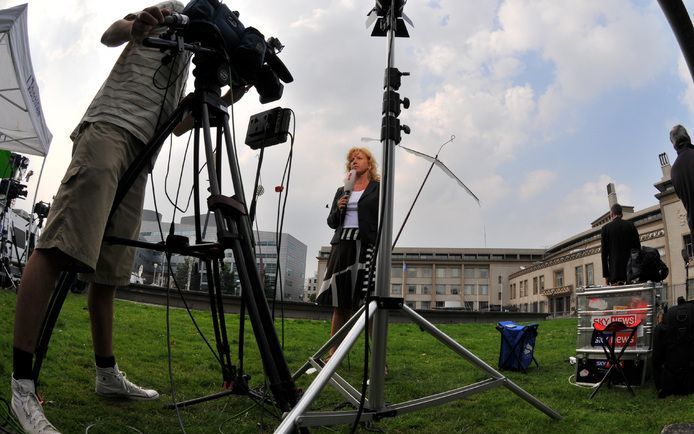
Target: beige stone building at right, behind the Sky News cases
<point x="551" y="283"/>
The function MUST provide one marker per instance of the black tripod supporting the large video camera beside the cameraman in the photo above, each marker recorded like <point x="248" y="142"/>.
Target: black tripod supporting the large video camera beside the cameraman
<point x="233" y="232"/>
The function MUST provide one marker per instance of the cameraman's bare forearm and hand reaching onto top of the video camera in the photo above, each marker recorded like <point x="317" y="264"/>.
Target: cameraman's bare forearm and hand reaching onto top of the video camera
<point x="134" y="27"/>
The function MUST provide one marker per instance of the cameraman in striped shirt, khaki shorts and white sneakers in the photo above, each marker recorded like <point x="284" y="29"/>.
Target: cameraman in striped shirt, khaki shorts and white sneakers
<point x="139" y="93"/>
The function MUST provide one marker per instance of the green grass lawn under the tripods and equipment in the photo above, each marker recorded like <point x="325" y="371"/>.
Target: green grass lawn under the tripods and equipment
<point x="418" y="366"/>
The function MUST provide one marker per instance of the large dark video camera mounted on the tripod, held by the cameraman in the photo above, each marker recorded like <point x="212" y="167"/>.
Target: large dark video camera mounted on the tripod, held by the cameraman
<point x="252" y="60"/>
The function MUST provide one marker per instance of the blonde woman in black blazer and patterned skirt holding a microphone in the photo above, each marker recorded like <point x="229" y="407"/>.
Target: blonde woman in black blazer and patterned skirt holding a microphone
<point x="354" y="217"/>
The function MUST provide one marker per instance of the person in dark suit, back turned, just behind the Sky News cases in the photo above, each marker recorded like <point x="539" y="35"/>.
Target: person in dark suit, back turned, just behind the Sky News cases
<point x="617" y="238"/>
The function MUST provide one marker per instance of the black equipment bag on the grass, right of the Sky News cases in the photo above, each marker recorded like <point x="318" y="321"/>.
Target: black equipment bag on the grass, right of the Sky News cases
<point x="673" y="352"/>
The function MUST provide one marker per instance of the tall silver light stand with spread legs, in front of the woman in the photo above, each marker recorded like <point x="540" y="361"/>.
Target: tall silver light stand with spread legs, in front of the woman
<point x="375" y="407"/>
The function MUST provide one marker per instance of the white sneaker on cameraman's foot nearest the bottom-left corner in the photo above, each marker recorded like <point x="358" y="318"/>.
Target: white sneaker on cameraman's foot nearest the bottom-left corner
<point x="28" y="410"/>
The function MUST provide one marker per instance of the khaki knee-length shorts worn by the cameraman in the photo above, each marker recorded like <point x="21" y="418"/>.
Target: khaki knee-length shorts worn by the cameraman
<point x="78" y="219"/>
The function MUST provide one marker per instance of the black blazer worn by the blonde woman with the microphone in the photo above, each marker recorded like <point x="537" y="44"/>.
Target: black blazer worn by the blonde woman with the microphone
<point x="367" y="210"/>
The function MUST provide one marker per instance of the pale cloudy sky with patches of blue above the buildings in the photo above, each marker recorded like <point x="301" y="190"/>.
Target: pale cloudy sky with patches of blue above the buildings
<point x="548" y="100"/>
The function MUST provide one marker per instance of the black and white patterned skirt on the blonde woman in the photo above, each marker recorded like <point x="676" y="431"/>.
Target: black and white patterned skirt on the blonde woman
<point x="348" y="272"/>
